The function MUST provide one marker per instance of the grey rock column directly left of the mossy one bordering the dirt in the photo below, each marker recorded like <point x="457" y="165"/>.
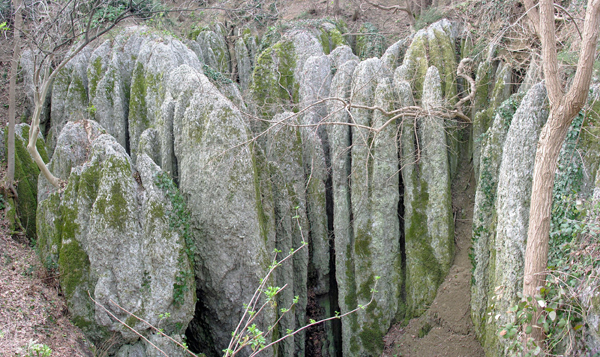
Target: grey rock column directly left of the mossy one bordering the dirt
<point x="378" y="252"/>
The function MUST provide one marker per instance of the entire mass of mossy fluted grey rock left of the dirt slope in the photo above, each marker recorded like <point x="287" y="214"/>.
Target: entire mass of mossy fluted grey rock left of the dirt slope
<point x="370" y="197"/>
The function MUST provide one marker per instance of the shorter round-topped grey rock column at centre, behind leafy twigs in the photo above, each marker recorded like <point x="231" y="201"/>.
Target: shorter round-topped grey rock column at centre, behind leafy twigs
<point x="291" y="201"/>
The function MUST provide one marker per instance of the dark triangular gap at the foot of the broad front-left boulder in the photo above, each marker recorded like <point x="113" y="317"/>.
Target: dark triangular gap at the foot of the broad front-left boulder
<point x="197" y="334"/>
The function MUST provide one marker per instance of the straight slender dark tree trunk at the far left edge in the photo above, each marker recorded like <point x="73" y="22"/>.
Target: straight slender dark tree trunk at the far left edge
<point x="12" y="102"/>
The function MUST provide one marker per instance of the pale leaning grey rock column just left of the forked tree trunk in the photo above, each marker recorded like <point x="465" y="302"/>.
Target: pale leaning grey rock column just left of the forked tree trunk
<point x="513" y="199"/>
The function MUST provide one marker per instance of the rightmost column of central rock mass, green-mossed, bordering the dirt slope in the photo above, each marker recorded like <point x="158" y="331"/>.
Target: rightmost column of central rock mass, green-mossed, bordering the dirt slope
<point x="427" y="211"/>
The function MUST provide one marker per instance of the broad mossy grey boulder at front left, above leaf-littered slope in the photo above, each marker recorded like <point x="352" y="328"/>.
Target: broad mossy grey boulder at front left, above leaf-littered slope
<point x="113" y="239"/>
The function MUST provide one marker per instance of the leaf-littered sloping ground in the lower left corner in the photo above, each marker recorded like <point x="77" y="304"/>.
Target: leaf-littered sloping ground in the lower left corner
<point x="32" y="309"/>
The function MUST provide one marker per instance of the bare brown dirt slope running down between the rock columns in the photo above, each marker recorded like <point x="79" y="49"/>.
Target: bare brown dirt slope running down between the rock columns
<point x="445" y="329"/>
